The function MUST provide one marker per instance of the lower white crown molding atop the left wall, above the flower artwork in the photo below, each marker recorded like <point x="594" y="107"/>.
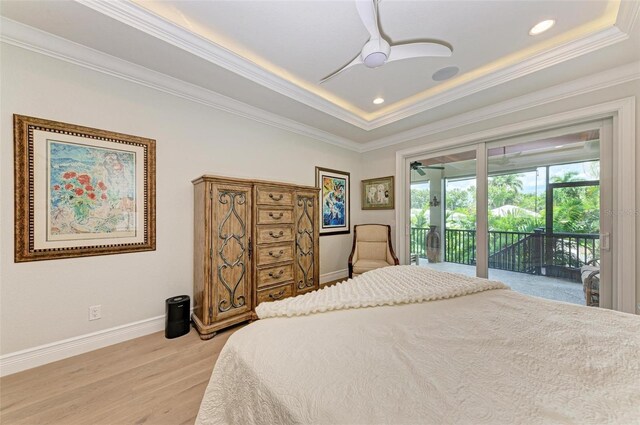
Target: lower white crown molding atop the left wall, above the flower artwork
<point x="38" y="41"/>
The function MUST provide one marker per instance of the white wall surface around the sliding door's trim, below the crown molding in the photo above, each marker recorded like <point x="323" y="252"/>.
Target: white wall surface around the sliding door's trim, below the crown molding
<point x="381" y="162"/>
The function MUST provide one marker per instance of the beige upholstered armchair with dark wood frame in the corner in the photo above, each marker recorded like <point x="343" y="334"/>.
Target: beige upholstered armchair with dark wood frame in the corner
<point x="371" y="248"/>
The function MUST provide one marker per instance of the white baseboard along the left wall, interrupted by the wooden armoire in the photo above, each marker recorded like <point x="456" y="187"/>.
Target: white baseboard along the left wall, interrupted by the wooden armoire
<point x="37" y="356"/>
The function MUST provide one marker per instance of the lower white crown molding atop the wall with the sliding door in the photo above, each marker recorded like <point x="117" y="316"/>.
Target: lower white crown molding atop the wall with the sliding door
<point x="555" y="93"/>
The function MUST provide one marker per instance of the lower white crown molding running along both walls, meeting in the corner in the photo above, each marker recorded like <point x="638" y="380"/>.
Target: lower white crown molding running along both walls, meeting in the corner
<point x="29" y="38"/>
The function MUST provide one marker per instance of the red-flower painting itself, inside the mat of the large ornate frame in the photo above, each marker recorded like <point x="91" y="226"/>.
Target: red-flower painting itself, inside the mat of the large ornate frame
<point x="91" y="190"/>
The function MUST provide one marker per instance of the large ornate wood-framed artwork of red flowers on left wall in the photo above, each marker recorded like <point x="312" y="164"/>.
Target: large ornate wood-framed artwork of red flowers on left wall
<point x="80" y="191"/>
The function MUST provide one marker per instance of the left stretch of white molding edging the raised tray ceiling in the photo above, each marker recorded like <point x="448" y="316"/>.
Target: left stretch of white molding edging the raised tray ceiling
<point x="140" y="18"/>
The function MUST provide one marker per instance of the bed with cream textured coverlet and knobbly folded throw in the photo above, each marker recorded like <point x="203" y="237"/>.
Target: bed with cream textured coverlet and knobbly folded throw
<point x="407" y="345"/>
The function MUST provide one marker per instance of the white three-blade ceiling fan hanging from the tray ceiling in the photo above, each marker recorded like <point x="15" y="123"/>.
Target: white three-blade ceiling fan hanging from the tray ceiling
<point x="377" y="51"/>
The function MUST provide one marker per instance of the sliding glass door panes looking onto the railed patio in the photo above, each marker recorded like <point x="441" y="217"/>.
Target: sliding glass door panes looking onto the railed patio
<point x="527" y="211"/>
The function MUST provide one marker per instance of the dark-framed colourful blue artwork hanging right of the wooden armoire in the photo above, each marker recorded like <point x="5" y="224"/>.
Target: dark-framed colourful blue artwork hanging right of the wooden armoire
<point x="335" y="199"/>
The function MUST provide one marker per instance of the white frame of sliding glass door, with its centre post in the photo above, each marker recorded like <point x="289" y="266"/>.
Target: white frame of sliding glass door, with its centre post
<point x="623" y="164"/>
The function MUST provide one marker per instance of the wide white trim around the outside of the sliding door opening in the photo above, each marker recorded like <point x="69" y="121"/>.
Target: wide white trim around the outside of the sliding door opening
<point x="624" y="165"/>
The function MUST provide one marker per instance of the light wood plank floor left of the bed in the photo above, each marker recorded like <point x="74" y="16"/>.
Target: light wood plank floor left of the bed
<point x="148" y="380"/>
